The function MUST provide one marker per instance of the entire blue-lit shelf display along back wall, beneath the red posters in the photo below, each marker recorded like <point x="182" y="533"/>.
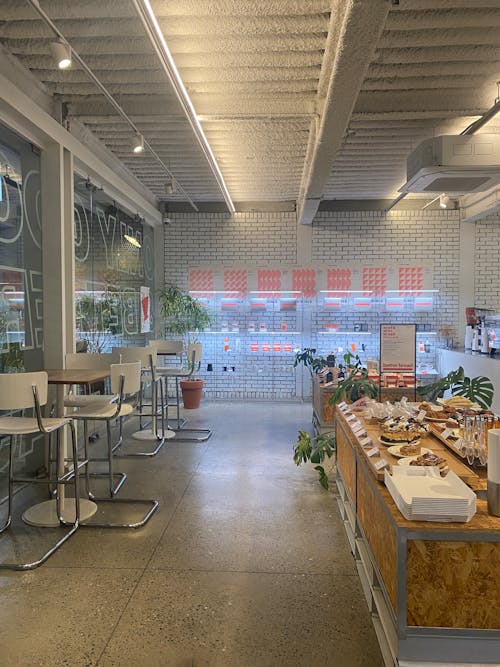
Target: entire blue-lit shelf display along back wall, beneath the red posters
<point x="250" y="349"/>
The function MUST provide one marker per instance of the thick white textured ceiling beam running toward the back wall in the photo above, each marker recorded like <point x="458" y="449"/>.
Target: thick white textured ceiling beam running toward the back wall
<point x="353" y="36"/>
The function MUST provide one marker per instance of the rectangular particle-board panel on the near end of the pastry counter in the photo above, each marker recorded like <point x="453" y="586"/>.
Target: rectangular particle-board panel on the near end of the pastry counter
<point x="453" y="584"/>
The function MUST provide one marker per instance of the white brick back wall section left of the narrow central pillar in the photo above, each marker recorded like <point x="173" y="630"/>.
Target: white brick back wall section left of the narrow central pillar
<point x="242" y="239"/>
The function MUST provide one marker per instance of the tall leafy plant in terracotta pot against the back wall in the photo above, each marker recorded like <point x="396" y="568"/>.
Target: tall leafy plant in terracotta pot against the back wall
<point x="186" y="317"/>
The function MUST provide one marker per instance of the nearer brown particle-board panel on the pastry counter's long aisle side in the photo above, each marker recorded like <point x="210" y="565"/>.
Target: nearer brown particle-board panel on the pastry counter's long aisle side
<point x="380" y="532"/>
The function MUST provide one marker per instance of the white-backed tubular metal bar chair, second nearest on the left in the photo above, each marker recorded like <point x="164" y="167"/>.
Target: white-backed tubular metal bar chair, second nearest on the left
<point x="125" y="381"/>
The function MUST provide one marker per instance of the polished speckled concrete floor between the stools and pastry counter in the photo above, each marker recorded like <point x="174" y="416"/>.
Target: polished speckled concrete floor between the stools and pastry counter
<point x="245" y="564"/>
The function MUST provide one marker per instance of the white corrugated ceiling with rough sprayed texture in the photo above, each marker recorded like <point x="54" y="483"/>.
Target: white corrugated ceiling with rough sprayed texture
<point x="300" y="100"/>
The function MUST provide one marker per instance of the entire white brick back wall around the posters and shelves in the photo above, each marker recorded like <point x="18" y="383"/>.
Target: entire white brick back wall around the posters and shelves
<point x="392" y="238"/>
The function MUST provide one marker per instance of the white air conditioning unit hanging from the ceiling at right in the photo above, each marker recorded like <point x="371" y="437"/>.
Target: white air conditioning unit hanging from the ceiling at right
<point x="455" y="164"/>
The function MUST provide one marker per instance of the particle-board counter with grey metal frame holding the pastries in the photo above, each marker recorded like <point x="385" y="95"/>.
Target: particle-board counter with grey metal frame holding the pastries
<point x="433" y="588"/>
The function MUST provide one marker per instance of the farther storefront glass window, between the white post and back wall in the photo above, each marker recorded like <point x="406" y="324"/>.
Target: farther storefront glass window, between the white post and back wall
<point x="113" y="273"/>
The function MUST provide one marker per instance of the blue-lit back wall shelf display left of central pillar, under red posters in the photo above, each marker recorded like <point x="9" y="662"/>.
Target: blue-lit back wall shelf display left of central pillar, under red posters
<point x="250" y="349"/>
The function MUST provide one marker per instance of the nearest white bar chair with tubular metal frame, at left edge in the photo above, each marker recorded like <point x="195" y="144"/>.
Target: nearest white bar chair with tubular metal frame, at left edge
<point x="19" y="392"/>
